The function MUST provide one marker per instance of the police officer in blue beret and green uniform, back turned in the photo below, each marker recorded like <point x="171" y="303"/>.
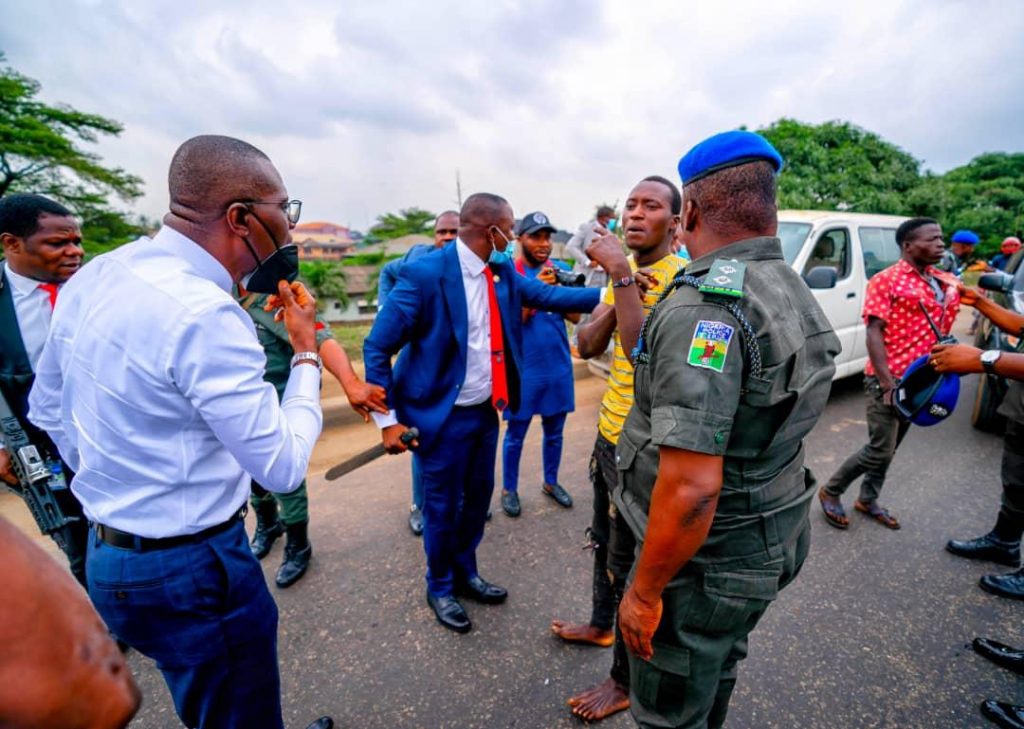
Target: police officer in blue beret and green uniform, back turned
<point x="733" y="370"/>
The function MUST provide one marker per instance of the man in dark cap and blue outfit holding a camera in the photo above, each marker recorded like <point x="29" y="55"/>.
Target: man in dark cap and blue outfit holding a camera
<point x="546" y="372"/>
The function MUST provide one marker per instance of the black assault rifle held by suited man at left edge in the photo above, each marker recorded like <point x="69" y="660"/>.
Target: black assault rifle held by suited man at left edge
<point x="38" y="478"/>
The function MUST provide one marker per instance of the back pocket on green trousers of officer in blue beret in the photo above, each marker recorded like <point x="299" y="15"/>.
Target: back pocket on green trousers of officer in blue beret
<point x="729" y="601"/>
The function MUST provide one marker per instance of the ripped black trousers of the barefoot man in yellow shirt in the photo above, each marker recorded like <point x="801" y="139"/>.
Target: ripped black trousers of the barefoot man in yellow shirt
<point x="614" y="553"/>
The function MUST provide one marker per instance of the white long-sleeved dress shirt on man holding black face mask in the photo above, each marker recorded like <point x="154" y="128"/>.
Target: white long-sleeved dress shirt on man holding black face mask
<point x="152" y="387"/>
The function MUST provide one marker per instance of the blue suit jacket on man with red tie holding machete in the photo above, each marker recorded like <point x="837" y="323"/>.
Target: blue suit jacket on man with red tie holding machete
<point x="426" y="319"/>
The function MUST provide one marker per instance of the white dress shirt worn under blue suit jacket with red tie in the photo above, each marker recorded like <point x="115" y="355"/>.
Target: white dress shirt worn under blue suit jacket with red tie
<point x="477" y="387"/>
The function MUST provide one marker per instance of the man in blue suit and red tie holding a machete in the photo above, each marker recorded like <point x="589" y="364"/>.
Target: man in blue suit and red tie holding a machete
<point x="456" y="312"/>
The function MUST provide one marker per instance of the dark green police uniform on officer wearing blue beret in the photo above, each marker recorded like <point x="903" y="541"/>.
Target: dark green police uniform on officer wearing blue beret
<point x="700" y="391"/>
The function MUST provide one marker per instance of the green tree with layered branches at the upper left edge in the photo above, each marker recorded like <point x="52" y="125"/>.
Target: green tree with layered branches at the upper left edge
<point x="40" y="152"/>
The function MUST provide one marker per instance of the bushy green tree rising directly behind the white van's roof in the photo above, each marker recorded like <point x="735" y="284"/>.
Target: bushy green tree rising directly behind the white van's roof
<point x="840" y="166"/>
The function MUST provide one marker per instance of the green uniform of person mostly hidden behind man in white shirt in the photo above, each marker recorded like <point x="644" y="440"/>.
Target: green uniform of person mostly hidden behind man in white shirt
<point x="274" y="338"/>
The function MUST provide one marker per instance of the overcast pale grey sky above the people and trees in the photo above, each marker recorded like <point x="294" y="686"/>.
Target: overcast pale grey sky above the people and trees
<point x="372" y="106"/>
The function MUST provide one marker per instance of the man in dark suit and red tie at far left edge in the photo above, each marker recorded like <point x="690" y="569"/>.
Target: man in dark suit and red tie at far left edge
<point x="42" y="248"/>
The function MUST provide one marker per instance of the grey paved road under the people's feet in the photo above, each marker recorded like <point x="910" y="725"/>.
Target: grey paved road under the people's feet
<point x="875" y="633"/>
